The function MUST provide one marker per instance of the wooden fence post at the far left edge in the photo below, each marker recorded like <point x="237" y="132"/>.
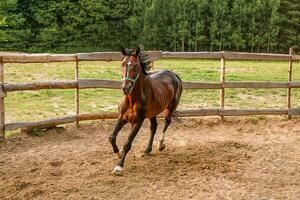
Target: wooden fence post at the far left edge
<point x="2" y="105"/>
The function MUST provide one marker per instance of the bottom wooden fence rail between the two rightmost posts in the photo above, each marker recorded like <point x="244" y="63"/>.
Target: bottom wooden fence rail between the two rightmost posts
<point x="243" y="112"/>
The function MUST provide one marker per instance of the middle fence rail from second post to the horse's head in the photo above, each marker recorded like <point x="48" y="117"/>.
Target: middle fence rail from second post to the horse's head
<point x="97" y="83"/>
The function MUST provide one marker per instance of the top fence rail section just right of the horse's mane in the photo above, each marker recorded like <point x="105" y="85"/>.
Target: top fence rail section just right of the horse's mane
<point x="192" y="55"/>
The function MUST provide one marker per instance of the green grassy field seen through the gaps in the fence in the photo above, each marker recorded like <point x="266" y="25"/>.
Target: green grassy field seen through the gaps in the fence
<point x="37" y="105"/>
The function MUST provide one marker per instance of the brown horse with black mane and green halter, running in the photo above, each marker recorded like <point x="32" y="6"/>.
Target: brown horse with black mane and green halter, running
<point x="145" y="96"/>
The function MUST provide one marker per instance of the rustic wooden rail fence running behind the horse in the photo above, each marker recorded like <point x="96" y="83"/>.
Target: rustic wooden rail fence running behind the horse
<point x="78" y="84"/>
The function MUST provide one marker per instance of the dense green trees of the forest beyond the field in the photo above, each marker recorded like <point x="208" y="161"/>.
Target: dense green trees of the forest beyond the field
<point x="170" y="25"/>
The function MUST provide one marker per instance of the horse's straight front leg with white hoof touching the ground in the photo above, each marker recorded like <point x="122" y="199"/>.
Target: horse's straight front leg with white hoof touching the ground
<point x="135" y="128"/>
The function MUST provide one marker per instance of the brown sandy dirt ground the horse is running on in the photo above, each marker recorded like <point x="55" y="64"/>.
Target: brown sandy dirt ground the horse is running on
<point x="241" y="158"/>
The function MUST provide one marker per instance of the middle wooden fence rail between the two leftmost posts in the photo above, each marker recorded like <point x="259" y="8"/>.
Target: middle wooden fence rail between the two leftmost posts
<point x="10" y="87"/>
